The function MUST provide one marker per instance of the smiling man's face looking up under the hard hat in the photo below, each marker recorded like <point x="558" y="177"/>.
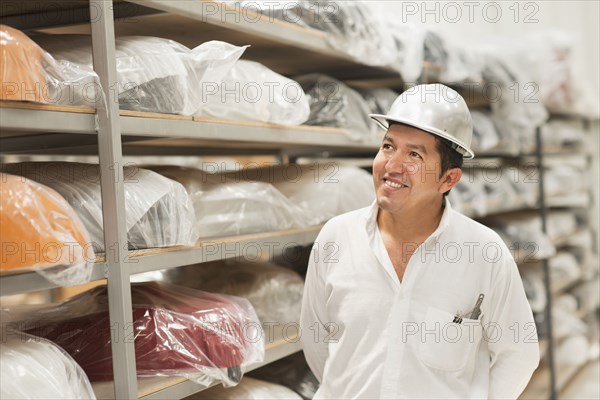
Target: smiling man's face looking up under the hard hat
<point x="406" y="171"/>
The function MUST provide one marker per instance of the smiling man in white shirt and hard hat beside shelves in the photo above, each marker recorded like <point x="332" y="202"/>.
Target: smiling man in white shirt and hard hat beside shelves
<point x="408" y="298"/>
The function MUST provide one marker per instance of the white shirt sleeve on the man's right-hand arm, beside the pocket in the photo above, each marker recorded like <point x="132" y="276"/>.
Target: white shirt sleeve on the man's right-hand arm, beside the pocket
<point x="511" y="335"/>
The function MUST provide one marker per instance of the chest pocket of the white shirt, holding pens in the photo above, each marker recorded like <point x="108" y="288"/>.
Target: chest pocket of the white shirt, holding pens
<point x="447" y="345"/>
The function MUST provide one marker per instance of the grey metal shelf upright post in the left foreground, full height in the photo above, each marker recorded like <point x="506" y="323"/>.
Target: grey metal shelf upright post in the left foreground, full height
<point x="113" y="201"/>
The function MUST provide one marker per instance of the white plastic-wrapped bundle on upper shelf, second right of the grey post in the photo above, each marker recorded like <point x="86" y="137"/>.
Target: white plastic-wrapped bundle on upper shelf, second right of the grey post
<point x="251" y="91"/>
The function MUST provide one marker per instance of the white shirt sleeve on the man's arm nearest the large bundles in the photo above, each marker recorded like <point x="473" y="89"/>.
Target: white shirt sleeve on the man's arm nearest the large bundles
<point x="313" y="319"/>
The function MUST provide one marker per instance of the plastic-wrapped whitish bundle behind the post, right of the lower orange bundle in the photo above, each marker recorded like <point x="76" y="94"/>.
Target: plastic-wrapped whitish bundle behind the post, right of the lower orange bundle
<point x="159" y="211"/>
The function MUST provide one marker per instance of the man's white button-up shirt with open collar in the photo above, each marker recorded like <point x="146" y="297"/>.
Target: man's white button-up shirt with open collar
<point x="367" y="335"/>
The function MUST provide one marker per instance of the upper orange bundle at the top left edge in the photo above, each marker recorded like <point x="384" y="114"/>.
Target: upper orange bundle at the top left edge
<point x="22" y="77"/>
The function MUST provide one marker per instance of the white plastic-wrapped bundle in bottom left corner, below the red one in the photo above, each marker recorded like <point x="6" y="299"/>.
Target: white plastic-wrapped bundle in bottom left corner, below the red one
<point x="35" y="368"/>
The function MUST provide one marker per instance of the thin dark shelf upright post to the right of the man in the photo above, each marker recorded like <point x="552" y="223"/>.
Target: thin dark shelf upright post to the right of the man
<point x="546" y="265"/>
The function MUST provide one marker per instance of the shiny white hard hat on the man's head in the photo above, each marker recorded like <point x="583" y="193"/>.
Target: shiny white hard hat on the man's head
<point x="434" y="108"/>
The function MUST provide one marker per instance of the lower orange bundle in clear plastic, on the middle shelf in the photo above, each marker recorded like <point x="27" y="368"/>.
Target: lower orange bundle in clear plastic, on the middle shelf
<point x="40" y="231"/>
